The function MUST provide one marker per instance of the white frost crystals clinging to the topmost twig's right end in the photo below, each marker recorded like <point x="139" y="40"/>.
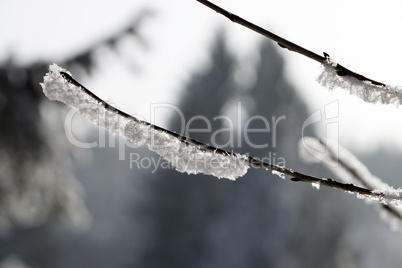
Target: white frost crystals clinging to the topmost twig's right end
<point x="362" y="89"/>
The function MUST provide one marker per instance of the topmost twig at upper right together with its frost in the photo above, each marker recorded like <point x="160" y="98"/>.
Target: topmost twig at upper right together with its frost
<point x="333" y="75"/>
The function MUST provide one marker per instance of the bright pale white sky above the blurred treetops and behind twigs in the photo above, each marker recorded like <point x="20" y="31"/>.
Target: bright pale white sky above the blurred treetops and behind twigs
<point x="361" y="35"/>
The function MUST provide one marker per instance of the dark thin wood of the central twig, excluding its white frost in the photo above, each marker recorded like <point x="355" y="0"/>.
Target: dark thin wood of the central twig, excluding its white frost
<point x="254" y="161"/>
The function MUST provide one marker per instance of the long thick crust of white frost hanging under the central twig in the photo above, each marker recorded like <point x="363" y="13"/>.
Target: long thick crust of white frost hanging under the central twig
<point x="184" y="157"/>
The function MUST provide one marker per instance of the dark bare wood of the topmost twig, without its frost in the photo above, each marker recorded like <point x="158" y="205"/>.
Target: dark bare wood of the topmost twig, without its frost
<point x="340" y="70"/>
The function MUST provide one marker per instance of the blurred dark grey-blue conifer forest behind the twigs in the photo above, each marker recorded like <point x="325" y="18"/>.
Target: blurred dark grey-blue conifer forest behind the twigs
<point x="62" y="206"/>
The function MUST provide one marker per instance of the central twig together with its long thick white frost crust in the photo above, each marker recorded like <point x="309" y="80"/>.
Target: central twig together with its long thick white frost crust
<point x="187" y="155"/>
